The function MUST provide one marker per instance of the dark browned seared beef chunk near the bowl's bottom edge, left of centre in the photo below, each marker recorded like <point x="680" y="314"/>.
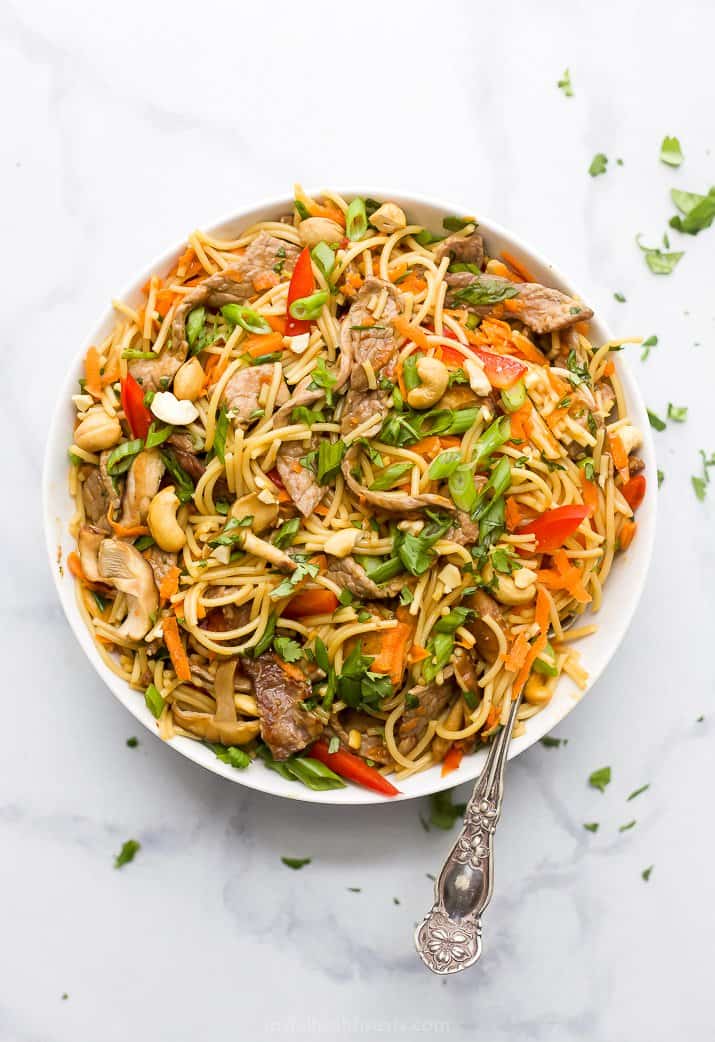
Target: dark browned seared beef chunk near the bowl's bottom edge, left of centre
<point x="281" y="689"/>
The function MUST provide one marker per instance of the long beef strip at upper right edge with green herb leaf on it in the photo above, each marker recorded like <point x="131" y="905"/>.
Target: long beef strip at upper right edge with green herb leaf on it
<point x="544" y="310"/>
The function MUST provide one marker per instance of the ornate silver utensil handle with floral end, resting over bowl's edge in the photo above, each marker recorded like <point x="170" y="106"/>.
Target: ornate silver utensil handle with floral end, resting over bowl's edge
<point x="450" y="937"/>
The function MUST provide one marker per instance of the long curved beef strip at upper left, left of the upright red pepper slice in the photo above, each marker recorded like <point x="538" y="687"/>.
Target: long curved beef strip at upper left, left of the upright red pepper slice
<point x="236" y="286"/>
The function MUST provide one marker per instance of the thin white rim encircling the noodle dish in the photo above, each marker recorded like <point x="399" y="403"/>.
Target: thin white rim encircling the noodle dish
<point x="264" y="780"/>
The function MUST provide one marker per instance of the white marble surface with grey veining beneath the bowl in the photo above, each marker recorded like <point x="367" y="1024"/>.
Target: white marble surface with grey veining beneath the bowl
<point x="126" y="126"/>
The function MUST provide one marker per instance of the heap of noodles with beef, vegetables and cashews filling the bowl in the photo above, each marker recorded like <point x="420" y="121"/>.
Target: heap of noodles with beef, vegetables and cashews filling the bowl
<point x="342" y="486"/>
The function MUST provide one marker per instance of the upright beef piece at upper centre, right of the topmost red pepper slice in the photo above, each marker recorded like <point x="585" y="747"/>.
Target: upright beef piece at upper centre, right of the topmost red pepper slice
<point x="378" y="344"/>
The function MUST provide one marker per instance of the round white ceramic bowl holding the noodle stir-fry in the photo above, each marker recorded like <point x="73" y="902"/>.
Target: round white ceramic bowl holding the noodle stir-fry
<point x="622" y="596"/>
